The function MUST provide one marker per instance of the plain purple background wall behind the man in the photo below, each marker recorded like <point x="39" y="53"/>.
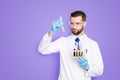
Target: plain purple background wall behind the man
<point x="24" y="22"/>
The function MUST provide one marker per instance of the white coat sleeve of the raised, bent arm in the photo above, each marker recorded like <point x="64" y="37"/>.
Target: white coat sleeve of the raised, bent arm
<point x="48" y="47"/>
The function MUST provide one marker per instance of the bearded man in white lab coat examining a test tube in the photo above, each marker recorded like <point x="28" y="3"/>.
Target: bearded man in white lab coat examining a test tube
<point x="80" y="56"/>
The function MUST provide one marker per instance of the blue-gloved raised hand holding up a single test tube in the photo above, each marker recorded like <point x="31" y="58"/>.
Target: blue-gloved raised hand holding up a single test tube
<point x="55" y="26"/>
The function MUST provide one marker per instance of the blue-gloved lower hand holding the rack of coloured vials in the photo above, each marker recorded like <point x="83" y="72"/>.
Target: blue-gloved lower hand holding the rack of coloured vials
<point x="83" y="62"/>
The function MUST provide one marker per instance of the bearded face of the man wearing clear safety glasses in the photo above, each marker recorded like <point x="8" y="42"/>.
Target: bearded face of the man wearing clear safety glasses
<point x="77" y="25"/>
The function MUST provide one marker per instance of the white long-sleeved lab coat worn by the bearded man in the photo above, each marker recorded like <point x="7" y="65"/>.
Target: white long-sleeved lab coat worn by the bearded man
<point x="70" y="69"/>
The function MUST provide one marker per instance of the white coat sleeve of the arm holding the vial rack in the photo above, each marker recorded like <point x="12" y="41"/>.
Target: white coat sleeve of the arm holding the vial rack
<point x="96" y="64"/>
